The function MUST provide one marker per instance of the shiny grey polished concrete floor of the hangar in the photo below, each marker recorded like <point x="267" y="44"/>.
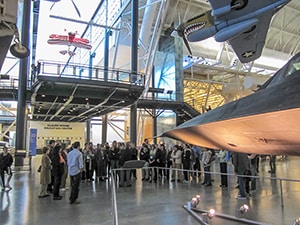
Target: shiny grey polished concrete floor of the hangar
<point x="152" y="203"/>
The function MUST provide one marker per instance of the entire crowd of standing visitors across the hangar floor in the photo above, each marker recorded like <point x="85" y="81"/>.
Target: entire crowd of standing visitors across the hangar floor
<point x="179" y="163"/>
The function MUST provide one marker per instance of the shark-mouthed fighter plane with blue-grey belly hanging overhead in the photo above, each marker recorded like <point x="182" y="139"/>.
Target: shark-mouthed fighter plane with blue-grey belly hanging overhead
<point x="243" y="23"/>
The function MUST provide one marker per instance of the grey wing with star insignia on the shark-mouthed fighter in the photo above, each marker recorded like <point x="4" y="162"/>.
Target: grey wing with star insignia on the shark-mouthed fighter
<point x="248" y="46"/>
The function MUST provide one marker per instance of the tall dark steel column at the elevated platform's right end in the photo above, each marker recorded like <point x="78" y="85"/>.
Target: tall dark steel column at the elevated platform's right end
<point x="134" y="66"/>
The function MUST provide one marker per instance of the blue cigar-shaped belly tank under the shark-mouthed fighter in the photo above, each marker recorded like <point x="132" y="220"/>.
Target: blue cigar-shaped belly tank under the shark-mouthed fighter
<point x="232" y="31"/>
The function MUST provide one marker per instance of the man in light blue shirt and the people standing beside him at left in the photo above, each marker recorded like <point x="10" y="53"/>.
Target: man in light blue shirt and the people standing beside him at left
<point x="56" y="164"/>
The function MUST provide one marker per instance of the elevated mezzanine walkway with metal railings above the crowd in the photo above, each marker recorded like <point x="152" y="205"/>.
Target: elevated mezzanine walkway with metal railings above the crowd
<point x="76" y="93"/>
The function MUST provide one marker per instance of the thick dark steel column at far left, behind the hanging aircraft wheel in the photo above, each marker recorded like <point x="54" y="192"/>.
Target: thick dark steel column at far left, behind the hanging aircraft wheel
<point x="23" y="74"/>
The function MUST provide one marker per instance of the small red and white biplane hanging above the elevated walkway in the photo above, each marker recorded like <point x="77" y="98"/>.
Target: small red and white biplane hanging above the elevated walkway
<point x="69" y="40"/>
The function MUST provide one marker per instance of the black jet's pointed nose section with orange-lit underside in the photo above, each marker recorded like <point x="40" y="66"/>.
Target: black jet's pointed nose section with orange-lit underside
<point x="265" y="122"/>
